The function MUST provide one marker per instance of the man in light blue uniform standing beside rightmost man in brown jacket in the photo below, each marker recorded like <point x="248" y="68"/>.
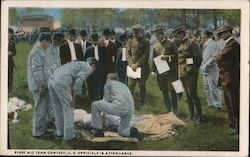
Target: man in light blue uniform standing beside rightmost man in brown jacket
<point x="210" y="71"/>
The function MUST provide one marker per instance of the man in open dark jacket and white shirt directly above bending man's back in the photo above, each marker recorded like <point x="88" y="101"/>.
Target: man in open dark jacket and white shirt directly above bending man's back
<point x="70" y="51"/>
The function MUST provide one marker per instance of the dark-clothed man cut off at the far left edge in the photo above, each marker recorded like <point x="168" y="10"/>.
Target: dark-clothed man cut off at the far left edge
<point x="11" y="53"/>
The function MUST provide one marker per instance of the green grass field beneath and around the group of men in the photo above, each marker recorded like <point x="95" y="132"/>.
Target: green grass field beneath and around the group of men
<point x="211" y="136"/>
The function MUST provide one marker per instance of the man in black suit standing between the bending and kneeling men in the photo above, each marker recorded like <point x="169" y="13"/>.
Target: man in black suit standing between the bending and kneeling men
<point x="96" y="80"/>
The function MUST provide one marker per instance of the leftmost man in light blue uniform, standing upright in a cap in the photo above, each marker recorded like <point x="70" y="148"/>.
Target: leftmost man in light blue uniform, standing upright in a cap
<point x="38" y="76"/>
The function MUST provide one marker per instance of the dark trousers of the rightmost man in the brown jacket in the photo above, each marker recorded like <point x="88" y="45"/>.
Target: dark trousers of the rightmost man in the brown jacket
<point x="232" y="100"/>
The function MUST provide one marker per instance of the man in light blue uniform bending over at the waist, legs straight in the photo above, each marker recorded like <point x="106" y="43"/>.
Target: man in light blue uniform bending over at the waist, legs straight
<point x="64" y="84"/>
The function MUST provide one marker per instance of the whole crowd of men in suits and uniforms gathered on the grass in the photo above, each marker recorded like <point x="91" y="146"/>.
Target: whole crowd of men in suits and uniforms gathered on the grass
<point x="61" y="65"/>
